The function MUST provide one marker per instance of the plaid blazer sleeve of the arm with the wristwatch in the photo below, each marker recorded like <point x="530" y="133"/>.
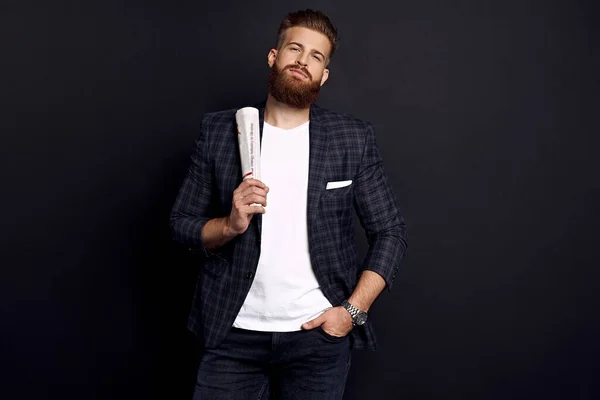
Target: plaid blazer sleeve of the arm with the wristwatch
<point x="378" y="212"/>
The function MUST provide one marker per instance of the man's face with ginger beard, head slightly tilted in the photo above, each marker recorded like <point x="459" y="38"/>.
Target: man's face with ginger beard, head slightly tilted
<point x="298" y="67"/>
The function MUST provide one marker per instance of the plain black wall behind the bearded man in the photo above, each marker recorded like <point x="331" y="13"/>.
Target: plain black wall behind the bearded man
<point x="486" y="114"/>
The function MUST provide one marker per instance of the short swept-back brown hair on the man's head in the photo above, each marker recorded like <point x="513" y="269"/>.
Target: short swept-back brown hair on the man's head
<point x="311" y="19"/>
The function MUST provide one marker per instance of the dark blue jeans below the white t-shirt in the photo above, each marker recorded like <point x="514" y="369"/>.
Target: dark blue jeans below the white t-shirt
<point x="275" y="365"/>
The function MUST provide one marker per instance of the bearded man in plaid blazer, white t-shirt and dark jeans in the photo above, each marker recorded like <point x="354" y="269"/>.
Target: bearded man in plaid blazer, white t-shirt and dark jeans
<point x="281" y="298"/>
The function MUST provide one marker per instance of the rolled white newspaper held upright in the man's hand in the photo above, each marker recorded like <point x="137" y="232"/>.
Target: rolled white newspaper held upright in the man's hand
<point x="249" y="141"/>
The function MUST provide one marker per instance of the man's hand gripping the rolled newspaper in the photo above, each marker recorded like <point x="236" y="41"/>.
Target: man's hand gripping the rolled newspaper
<point x="251" y="191"/>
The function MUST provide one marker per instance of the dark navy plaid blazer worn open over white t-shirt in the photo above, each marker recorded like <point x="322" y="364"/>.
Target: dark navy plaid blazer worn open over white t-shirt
<point x="341" y="148"/>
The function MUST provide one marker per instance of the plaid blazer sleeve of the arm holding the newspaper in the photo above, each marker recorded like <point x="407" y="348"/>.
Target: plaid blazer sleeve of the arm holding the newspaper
<point x="191" y="210"/>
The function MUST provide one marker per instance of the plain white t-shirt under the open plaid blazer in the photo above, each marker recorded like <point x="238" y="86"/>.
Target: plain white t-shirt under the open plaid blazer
<point x="285" y="292"/>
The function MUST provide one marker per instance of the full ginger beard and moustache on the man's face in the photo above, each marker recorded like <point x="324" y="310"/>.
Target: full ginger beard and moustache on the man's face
<point x="292" y="91"/>
